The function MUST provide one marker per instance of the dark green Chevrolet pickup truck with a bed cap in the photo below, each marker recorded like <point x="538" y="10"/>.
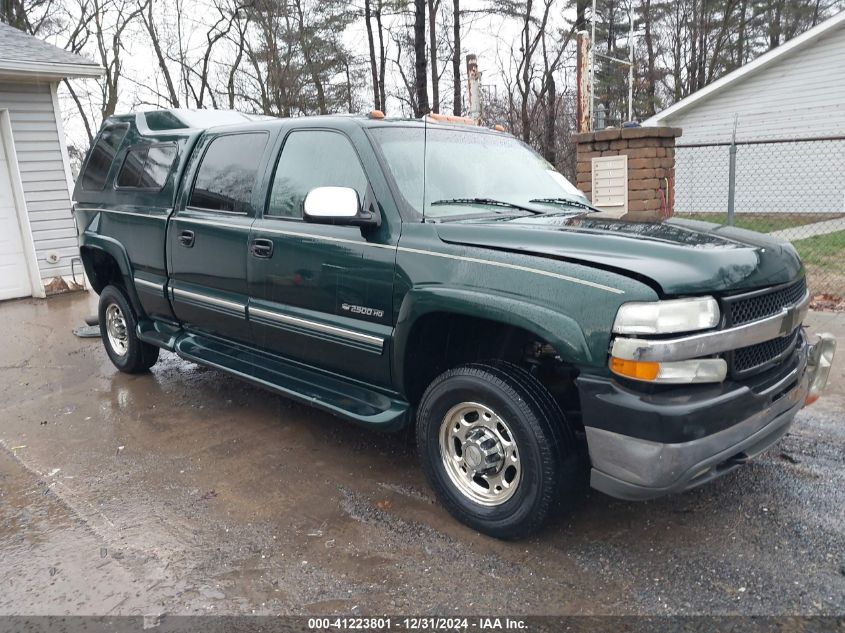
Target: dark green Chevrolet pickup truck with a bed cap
<point x="444" y="277"/>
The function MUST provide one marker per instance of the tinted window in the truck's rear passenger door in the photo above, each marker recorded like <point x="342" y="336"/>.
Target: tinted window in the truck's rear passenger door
<point x="226" y="175"/>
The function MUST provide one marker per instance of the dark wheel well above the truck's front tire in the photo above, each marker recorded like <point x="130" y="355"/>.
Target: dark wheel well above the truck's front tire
<point x="439" y="341"/>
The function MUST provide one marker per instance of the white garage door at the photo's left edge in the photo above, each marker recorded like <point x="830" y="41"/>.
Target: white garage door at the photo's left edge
<point x="14" y="280"/>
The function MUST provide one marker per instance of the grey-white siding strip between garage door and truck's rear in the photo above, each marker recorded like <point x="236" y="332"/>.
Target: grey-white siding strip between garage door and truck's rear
<point x="42" y="171"/>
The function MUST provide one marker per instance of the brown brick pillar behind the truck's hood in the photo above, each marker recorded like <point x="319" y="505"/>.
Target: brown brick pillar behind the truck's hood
<point x="651" y="166"/>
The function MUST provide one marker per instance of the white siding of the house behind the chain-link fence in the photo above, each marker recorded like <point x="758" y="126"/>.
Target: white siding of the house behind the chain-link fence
<point x="799" y="95"/>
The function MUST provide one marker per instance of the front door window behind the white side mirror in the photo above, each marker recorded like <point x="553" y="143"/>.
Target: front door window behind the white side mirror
<point x="313" y="158"/>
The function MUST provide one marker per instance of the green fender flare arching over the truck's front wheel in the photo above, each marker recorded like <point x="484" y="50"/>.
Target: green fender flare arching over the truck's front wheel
<point x="556" y="328"/>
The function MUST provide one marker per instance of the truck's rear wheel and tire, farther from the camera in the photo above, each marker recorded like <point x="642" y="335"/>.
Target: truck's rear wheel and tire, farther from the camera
<point x="118" y="329"/>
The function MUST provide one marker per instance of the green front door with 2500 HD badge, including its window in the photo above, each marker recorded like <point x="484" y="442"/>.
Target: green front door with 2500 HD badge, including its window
<point x="321" y="294"/>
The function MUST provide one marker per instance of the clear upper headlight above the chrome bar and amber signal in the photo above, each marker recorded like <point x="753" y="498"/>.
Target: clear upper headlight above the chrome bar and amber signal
<point x="666" y="317"/>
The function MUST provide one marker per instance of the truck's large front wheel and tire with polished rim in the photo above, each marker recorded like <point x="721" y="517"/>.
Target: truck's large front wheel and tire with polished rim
<point x="497" y="422"/>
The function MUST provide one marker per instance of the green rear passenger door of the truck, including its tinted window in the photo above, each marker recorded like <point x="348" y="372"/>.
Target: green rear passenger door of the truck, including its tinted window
<point x="207" y="236"/>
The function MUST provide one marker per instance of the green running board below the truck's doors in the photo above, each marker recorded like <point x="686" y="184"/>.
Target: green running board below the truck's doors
<point x="320" y="389"/>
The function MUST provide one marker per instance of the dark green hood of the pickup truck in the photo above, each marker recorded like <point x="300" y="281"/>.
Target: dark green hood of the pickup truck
<point x="680" y="256"/>
